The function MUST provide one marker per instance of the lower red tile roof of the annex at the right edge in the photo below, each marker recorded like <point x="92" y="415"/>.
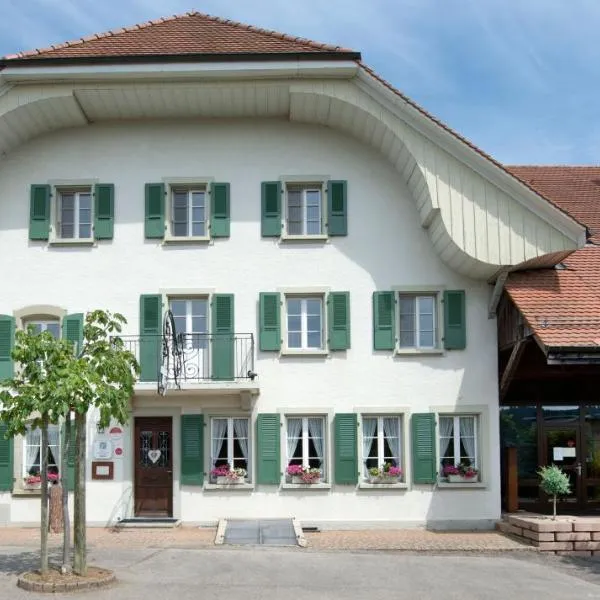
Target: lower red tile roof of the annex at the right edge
<point x="562" y="305"/>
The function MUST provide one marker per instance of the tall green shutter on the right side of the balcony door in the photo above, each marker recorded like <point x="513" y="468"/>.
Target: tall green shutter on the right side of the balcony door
<point x="223" y="337"/>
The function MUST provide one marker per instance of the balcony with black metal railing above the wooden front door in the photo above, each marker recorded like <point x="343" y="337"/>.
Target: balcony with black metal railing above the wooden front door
<point x="194" y="361"/>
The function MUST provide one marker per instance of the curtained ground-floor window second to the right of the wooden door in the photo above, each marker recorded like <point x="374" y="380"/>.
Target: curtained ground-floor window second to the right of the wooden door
<point x="305" y="443"/>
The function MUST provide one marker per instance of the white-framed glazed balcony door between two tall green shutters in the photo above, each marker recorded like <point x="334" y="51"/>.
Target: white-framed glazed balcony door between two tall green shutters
<point x="191" y="325"/>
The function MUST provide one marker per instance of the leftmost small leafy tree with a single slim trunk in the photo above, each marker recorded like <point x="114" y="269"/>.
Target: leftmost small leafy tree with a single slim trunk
<point x="31" y="398"/>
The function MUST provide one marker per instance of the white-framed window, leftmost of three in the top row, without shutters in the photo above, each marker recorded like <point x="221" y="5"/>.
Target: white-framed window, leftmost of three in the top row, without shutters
<point x="74" y="214"/>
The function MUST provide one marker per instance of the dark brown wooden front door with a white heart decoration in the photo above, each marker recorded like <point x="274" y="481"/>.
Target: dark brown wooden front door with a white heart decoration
<point x="153" y="494"/>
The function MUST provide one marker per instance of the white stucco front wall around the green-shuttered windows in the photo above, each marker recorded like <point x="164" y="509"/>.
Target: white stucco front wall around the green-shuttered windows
<point x="385" y="247"/>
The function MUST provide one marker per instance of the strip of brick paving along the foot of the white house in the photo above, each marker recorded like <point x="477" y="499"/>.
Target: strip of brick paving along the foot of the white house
<point x="410" y="540"/>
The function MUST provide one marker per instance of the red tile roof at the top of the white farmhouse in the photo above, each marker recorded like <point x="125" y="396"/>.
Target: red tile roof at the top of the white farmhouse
<point x="193" y="33"/>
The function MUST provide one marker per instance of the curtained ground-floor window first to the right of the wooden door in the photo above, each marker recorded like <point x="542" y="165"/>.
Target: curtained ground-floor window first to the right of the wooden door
<point x="229" y="444"/>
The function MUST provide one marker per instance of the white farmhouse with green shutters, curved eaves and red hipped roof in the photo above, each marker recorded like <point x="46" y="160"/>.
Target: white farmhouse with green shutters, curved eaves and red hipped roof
<point x="303" y="256"/>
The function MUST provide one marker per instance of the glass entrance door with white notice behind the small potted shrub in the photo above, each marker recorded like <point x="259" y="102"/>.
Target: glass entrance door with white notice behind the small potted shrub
<point x="563" y="448"/>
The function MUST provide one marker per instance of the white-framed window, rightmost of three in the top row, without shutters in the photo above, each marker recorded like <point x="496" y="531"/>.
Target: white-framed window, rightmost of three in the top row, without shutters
<point x="304" y="209"/>
